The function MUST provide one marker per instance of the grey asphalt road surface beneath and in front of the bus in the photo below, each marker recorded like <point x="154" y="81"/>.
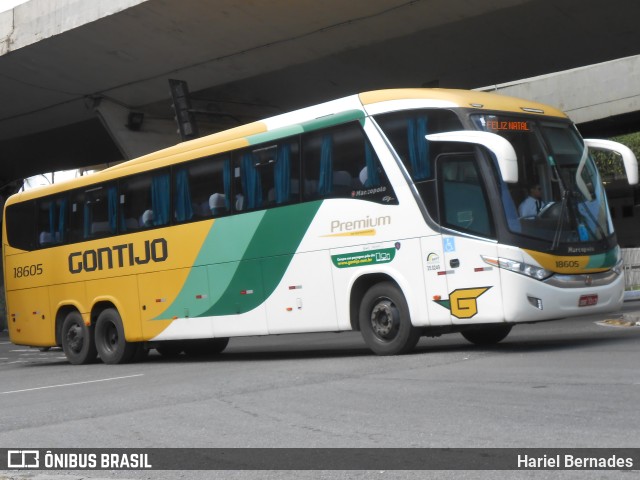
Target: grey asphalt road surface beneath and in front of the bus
<point x="569" y="383"/>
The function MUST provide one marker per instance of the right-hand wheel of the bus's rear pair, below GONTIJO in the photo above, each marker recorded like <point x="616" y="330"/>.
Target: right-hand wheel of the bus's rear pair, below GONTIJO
<point x="110" y="340"/>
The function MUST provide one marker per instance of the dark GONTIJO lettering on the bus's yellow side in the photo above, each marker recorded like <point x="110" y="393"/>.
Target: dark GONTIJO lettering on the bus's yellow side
<point x="119" y="256"/>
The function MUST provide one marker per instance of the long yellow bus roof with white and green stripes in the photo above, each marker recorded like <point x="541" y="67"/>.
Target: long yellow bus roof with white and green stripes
<point x="327" y="113"/>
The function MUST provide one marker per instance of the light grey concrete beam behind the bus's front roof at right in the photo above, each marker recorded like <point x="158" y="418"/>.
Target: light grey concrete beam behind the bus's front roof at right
<point x="586" y="93"/>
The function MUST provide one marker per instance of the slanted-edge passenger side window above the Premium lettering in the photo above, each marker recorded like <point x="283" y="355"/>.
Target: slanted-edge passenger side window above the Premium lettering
<point x="340" y="162"/>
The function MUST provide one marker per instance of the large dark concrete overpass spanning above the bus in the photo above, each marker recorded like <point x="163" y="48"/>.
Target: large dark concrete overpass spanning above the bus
<point x="71" y="71"/>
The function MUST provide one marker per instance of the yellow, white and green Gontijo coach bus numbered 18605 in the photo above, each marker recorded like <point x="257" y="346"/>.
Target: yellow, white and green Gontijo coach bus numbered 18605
<point x="395" y="213"/>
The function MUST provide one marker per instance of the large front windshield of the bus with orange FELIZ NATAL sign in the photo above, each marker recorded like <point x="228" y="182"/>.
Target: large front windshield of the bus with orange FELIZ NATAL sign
<point x="559" y="196"/>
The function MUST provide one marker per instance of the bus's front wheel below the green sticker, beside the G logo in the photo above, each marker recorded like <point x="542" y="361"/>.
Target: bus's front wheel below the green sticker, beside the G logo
<point x="384" y="321"/>
